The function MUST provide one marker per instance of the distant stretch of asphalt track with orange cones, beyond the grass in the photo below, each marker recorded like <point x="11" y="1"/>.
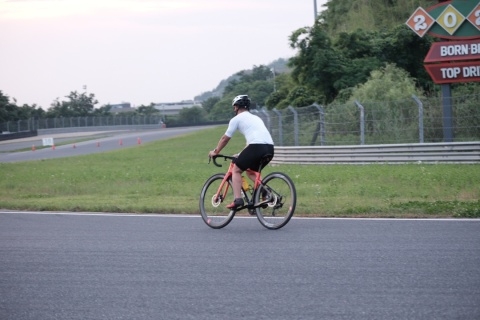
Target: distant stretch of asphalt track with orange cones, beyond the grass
<point x="96" y="142"/>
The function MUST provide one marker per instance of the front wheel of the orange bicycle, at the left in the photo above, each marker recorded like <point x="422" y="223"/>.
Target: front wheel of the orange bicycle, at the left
<point x="212" y="206"/>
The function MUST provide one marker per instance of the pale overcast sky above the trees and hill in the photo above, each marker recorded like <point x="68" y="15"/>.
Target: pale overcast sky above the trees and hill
<point x="139" y="51"/>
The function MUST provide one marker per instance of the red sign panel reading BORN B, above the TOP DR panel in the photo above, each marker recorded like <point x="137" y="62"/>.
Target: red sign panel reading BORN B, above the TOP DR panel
<point x="453" y="50"/>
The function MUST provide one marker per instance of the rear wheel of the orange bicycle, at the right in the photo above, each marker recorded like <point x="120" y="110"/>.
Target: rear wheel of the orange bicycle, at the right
<point x="279" y="197"/>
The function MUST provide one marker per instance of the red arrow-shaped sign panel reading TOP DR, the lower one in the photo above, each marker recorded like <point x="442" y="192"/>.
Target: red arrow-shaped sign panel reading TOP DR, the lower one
<point x="442" y="73"/>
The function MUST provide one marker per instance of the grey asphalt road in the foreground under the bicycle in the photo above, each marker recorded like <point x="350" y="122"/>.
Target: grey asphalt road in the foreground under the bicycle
<point x="88" y="266"/>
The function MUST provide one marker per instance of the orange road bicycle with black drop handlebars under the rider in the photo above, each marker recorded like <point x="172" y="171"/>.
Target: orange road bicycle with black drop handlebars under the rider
<point x="272" y="199"/>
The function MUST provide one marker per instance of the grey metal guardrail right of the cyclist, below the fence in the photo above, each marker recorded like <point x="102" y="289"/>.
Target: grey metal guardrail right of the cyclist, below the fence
<point x="452" y="152"/>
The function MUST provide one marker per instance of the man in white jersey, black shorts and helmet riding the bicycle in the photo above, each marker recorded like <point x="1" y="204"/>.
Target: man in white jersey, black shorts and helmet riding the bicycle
<point x="259" y="144"/>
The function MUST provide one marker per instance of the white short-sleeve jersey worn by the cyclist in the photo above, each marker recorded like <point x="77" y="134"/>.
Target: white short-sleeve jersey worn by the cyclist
<point x="251" y="126"/>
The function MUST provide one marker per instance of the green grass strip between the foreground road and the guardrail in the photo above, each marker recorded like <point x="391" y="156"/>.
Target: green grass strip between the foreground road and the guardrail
<point x="166" y="177"/>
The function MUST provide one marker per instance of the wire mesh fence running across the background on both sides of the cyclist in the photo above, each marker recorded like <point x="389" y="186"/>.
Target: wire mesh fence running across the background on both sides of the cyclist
<point x="404" y="121"/>
